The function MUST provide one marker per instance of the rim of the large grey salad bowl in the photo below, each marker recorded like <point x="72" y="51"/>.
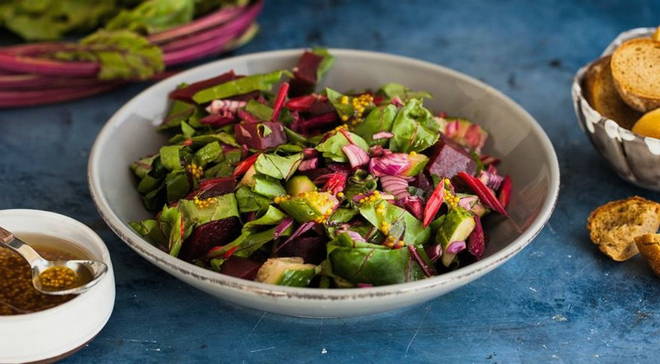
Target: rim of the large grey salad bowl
<point x="155" y="255"/>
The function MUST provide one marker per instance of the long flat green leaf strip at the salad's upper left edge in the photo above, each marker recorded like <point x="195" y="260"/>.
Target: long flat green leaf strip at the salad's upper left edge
<point x="260" y="82"/>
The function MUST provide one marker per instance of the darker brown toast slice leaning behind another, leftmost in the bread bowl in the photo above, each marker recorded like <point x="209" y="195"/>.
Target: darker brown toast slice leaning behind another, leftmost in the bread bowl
<point x="601" y="94"/>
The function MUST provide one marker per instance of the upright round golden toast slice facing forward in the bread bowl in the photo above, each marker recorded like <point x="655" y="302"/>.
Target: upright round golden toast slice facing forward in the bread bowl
<point x="636" y="71"/>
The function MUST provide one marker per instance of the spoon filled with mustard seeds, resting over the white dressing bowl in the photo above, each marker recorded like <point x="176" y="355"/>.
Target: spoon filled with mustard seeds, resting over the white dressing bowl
<point x="59" y="277"/>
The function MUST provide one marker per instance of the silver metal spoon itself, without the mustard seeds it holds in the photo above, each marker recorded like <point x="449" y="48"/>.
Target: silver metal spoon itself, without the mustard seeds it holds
<point x="92" y="270"/>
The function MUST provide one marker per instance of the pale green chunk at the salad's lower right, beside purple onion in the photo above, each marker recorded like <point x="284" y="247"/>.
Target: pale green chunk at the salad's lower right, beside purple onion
<point x="455" y="226"/>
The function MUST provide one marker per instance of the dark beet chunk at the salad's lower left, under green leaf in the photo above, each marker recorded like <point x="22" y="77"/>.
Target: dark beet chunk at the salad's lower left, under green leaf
<point x="206" y="236"/>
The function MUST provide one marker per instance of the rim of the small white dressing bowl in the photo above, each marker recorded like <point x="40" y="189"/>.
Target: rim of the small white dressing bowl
<point x="95" y="239"/>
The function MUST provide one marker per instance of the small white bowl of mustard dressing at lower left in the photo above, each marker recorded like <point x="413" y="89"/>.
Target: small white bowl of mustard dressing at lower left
<point x="59" y="331"/>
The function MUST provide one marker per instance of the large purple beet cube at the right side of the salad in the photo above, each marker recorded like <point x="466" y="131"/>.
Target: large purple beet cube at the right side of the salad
<point x="450" y="158"/>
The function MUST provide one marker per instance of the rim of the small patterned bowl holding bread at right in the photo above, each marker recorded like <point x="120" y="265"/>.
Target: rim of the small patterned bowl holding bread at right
<point x="628" y="134"/>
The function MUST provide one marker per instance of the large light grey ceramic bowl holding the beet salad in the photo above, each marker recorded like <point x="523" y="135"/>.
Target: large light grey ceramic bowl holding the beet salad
<point x="527" y="153"/>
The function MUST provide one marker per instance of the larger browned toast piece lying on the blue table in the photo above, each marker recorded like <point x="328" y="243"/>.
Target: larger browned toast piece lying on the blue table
<point x="614" y="226"/>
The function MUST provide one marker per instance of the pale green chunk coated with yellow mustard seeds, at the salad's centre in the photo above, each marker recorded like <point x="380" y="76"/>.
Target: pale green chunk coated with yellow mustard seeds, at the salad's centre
<point x="309" y="206"/>
